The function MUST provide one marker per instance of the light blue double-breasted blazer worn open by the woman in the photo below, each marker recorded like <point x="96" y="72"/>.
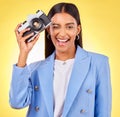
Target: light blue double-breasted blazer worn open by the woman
<point x="88" y="93"/>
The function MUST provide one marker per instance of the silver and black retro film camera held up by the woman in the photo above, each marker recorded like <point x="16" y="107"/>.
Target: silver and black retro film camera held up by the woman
<point x="36" y="22"/>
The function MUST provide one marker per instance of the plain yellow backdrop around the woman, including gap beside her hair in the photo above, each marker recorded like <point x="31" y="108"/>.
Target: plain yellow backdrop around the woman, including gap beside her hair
<point x="101" y="34"/>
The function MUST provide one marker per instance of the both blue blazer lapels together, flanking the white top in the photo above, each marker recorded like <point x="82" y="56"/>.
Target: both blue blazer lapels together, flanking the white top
<point x="79" y="72"/>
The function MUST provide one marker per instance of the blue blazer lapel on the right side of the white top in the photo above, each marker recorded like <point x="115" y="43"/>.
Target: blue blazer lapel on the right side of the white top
<point x="79" y="72"/>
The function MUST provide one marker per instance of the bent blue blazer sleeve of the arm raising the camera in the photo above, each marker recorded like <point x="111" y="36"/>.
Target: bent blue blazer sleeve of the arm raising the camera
<point x="21" y="87"/>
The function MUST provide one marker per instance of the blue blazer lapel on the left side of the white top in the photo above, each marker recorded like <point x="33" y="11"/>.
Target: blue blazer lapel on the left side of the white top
<point x="46" y="82"/>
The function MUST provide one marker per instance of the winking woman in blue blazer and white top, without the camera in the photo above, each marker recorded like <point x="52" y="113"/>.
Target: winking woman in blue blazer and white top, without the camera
<point x="70" y="82"/>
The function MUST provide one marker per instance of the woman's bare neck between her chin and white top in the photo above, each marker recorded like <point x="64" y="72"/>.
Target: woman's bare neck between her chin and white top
<point x="65" y="55"/>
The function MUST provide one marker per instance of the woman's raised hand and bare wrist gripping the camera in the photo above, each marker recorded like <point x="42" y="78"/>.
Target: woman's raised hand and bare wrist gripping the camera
<point x="23" y="46"/>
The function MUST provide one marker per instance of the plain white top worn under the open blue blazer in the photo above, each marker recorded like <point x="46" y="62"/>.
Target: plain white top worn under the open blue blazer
<point x="62" y="73"/>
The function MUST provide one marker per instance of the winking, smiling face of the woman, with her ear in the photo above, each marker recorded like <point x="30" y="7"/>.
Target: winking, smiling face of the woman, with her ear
<point x="63" y="32"/>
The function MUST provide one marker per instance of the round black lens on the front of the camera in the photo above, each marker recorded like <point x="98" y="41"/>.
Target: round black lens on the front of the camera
<point x="36" y="24"/>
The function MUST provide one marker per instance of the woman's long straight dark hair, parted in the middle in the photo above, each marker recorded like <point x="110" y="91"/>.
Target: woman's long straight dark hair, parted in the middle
<point x="58" y="8"/>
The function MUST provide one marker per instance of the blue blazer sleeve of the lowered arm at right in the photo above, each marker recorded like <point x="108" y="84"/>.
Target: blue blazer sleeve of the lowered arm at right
<point x="103" y="90"/>
